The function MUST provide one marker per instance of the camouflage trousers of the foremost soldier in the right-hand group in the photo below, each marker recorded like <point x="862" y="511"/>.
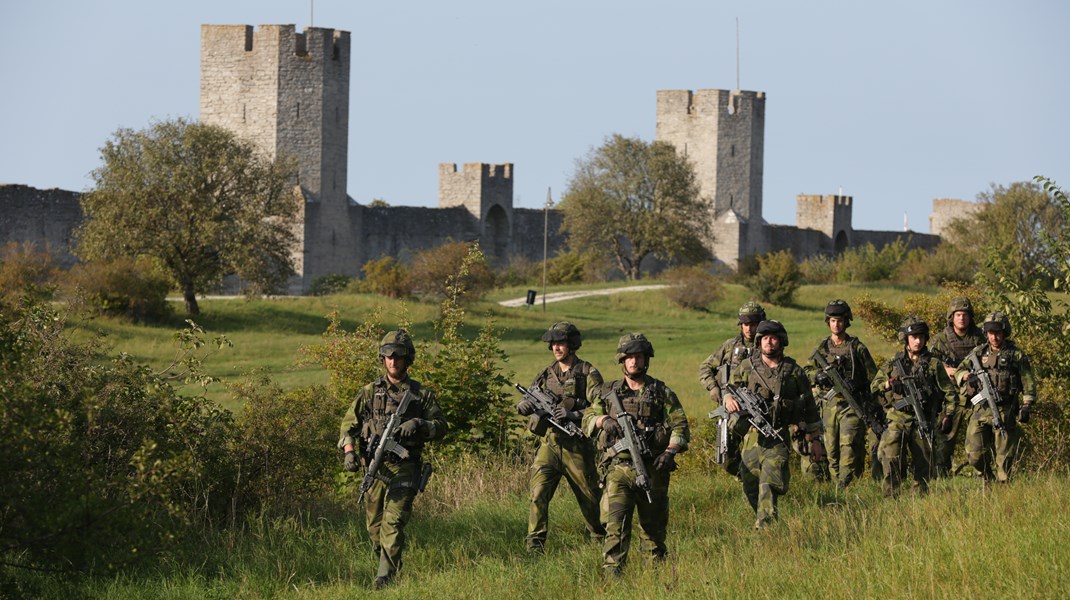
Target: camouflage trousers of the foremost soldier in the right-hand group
<point x="766" y="475"/>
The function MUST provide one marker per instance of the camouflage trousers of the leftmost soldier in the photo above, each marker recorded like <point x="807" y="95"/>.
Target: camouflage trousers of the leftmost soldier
<point x="388" y="510"/>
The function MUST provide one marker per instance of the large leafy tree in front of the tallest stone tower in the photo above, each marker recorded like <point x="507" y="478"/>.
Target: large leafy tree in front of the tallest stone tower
<point x="197" y="199"/>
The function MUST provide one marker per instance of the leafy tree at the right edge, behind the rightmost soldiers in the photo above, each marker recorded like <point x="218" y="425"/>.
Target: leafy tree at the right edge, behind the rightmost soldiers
<point x="1012" y="223"/>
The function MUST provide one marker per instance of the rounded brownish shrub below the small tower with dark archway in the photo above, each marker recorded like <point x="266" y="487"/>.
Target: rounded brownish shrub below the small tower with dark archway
<point x="434" y="269"/>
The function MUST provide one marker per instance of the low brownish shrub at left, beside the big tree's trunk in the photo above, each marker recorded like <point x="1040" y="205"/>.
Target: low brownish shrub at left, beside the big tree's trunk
<point x="132" y="289"/>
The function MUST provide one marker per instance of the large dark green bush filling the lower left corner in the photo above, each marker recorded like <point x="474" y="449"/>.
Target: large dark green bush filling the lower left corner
<point x="103" y="463"/>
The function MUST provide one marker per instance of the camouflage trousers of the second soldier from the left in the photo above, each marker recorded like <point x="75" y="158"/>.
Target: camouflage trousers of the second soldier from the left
<point x="575" y="461"/>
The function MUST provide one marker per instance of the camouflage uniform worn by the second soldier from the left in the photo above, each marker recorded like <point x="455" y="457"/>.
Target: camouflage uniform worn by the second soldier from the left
<point x="560" y="455"/>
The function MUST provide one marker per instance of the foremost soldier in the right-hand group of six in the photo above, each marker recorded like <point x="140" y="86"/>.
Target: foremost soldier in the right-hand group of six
<point x="783" y="388"/>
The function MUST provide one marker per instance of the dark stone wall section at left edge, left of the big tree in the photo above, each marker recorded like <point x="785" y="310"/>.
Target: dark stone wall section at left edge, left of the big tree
<point x="45" y="219"/>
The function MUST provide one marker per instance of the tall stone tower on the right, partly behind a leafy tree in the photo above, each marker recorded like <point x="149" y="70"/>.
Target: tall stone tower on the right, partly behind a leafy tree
<point x="724" y="134"/>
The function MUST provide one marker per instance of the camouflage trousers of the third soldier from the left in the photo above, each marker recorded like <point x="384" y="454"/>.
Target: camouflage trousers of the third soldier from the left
<point x="621" y="498"/>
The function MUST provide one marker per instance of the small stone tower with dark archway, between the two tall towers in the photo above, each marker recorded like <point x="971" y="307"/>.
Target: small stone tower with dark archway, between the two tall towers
<point x="486" y="192"/>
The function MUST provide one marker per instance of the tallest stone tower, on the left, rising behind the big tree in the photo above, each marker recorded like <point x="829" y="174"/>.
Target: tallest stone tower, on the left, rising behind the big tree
<point x="288" y="94"/>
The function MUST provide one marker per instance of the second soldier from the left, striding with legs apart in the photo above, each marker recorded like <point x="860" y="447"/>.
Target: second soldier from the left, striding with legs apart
<point x="569" y="379"/>
